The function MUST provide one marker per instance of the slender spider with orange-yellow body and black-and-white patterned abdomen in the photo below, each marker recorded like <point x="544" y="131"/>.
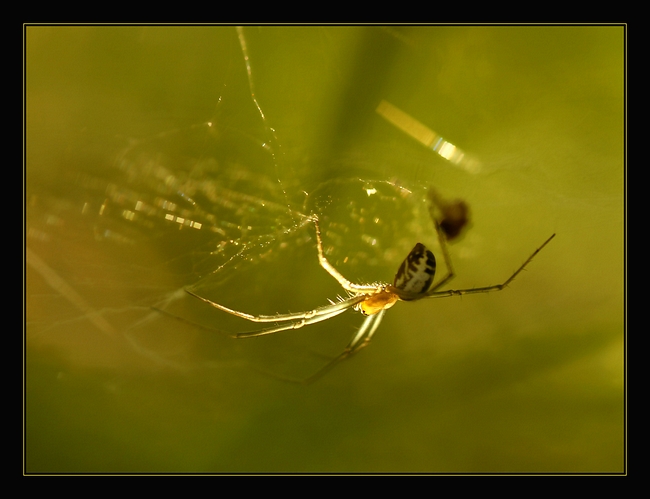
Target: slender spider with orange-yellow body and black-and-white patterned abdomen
<point x="412" y="282"/>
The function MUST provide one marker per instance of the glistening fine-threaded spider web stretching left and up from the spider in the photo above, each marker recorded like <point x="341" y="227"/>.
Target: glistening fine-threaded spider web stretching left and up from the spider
<point x="221" y="206"/>
